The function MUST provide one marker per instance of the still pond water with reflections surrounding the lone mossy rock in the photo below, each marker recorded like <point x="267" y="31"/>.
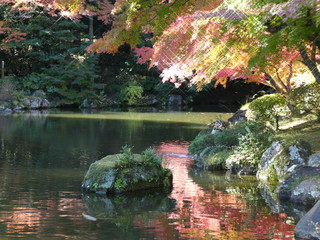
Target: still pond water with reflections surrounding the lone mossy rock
<point x="43" y="158"/>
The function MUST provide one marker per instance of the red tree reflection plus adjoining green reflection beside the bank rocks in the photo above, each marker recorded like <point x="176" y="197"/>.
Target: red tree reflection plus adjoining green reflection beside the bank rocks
<point x="211" y="212"/>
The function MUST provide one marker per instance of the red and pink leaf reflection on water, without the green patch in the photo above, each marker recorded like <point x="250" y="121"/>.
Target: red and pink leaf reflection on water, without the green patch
<point x="211" y="212"/>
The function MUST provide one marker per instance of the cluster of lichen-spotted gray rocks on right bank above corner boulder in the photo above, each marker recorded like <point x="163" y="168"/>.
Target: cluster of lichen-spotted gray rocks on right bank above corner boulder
<point x="294" y="171"/>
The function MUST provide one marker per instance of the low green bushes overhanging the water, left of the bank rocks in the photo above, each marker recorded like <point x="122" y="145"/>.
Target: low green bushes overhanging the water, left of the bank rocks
<point x="238" y="147"/>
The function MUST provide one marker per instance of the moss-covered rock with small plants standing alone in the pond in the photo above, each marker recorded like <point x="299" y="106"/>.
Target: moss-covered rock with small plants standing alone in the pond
<point x="106" y="176"/>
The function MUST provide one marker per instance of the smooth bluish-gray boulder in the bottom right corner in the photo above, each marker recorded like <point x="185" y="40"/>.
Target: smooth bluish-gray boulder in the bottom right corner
<point x="309" y="225"/>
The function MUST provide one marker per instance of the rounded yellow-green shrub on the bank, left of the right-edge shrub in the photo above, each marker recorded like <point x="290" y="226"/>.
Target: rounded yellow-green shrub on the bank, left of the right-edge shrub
<point x="268" y="108"/>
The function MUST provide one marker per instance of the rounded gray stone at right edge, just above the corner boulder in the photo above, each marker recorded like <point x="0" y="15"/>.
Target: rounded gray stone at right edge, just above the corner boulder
<point x="307" y="192"/>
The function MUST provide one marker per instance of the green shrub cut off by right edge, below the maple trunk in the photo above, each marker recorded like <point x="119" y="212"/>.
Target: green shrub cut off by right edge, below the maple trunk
<point x="305" y="100"/>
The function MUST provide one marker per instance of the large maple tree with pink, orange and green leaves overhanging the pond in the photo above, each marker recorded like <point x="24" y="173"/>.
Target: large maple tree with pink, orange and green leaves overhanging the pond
<point x="201" y="41"/>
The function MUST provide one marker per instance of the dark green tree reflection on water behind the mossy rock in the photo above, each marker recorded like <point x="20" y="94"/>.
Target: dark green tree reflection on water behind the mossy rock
<point x="40" y="141"/>
